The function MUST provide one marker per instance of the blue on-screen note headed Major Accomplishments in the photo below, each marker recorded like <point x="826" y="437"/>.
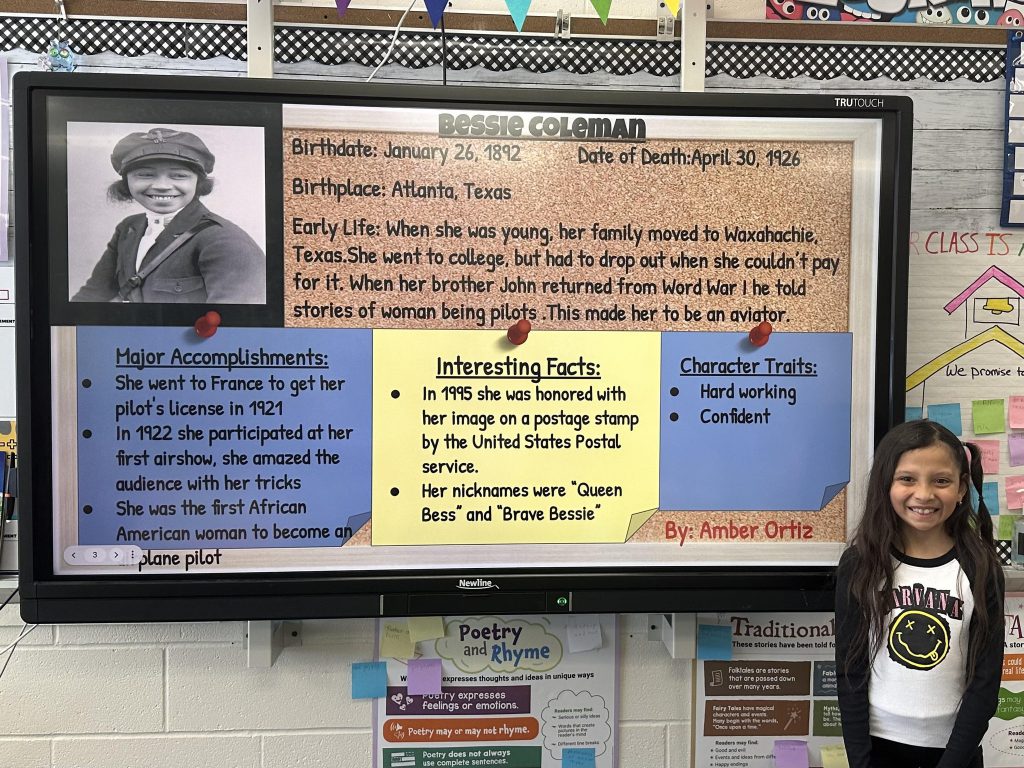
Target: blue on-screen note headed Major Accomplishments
<point x="219" y="416"/>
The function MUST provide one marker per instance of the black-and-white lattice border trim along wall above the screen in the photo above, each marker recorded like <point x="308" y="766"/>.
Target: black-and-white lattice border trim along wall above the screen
<point x="783" y="61"/>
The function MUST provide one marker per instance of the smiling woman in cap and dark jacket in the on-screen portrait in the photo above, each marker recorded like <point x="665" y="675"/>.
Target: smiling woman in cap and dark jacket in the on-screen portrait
<point x="177" y="251"/>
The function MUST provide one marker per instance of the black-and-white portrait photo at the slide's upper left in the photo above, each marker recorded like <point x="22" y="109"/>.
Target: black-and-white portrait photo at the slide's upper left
<point x="166" y="214"/>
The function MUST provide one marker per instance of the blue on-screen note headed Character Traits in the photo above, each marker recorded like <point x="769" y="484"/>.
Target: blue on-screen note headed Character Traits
<point x="748" y="429"/>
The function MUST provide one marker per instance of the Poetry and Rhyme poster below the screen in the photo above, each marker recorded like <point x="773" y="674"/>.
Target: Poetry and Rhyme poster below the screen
<point x="504" y="693"/>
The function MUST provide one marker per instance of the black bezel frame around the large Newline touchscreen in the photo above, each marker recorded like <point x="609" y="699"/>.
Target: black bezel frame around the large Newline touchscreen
<point x="50" y="599"/>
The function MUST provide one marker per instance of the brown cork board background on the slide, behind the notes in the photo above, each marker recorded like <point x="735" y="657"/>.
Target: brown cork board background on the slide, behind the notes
<point x="549" y="187"/>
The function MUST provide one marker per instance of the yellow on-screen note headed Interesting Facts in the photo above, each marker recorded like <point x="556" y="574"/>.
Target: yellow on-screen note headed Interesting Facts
<point x="479" y="442"/>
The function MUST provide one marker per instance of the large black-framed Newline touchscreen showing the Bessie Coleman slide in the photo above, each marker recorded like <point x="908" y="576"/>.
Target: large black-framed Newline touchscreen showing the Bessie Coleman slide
<point x="419" y="348"/>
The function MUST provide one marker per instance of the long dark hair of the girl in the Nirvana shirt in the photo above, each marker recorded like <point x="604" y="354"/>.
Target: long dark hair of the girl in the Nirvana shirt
<point x="879" y="535"/>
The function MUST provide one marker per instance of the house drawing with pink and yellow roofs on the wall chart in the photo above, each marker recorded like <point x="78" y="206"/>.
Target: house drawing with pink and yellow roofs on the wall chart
<point x="985" y="320"/>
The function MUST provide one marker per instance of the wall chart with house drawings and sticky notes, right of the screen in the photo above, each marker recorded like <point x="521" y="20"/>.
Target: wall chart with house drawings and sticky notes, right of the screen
<point x="966" y="354"/>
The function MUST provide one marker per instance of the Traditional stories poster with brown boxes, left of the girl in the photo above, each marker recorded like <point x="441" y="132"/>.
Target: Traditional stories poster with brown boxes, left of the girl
<point x="780" y="686"/>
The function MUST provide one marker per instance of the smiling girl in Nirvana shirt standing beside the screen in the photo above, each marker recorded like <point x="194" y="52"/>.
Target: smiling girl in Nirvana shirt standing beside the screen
<point x="919" y="609"/>
